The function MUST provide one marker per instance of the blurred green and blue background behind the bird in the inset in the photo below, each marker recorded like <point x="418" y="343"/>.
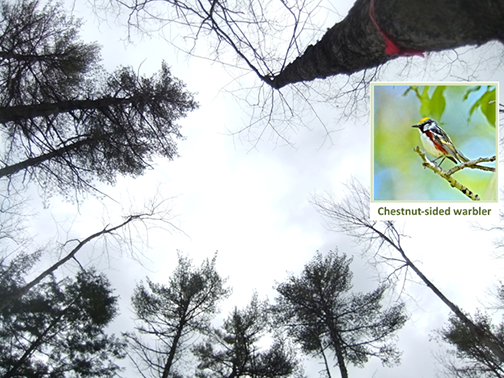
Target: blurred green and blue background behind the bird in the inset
<point x="466" y="112"/>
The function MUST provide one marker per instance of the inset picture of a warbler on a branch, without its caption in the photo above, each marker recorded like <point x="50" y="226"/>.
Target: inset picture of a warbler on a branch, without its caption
<point x="434" y="142"/>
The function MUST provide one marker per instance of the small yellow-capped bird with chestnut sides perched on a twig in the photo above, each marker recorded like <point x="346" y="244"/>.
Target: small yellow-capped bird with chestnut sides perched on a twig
<point x="437" y="143"/>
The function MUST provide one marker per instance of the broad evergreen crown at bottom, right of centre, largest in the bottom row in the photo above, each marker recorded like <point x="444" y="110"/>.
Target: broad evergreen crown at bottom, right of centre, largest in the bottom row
<point x="321" y="313"/>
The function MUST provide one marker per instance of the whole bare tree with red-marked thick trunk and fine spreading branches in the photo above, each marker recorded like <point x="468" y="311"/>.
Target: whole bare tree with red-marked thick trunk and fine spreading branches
<point x="276" y="41"/>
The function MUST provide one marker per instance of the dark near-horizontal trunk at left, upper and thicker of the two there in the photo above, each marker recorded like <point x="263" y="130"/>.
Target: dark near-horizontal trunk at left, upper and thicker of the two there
<point x="25" y="112"/>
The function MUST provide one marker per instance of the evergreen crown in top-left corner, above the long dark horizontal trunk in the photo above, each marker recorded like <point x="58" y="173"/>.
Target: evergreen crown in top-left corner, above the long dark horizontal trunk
<point x="42" y="58"/>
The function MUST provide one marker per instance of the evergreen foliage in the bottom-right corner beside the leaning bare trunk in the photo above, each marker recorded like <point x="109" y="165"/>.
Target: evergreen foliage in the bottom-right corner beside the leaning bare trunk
<point x="476" y="358"/>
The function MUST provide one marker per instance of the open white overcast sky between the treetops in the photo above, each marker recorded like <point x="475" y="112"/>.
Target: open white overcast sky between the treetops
<point x="251" y="201"/>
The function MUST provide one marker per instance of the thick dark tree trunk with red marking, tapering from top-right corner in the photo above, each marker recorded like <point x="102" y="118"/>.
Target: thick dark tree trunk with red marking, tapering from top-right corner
<point x="359" y="41"/>
